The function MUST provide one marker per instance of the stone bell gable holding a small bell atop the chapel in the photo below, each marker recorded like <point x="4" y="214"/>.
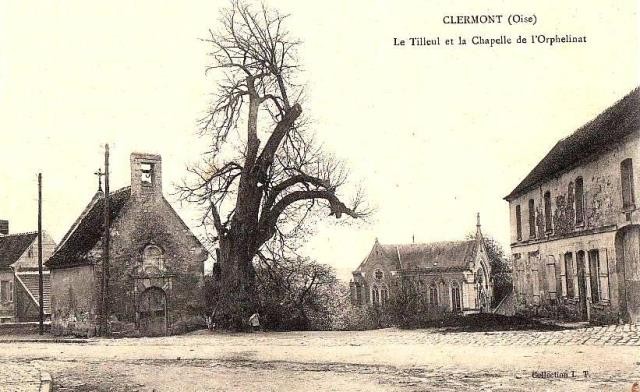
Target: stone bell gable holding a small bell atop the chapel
<point x="146" y="175"/>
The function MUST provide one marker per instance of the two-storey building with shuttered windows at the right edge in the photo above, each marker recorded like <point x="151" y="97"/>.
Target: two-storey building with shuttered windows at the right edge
<point x="575" y="223"/>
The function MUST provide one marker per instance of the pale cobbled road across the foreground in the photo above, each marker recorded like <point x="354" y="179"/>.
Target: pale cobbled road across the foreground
<point x="385" y="360"/>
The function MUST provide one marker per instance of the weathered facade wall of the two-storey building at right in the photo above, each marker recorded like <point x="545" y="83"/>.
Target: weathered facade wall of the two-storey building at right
<point x="540" y="279"/>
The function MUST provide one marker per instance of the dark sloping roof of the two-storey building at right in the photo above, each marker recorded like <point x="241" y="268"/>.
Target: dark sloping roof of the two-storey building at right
<point x="618" y="121"/>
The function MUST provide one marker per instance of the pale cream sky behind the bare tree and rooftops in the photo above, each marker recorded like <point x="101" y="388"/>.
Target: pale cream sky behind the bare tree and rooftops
<point x="435" y="134"/>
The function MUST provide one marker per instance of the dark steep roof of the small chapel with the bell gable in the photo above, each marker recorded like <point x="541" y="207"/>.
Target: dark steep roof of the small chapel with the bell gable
<point x="87" y="231"/>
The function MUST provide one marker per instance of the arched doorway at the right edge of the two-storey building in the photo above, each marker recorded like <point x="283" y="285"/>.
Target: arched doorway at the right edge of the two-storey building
<point x="628" y="259"/>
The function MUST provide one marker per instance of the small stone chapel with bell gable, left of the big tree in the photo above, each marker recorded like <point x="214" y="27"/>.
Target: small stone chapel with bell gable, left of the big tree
<point x="156" y="263"/>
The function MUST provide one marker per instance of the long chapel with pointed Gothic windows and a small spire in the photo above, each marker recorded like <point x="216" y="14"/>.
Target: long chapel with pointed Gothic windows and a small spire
<point x="453" y="276"/>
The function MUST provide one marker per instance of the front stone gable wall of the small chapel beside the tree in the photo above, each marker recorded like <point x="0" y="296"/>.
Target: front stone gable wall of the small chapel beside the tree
<point x="153" y="222"/>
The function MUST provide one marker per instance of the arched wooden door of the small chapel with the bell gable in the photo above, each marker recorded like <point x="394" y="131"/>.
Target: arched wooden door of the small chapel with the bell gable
<point x="152" y="309"/>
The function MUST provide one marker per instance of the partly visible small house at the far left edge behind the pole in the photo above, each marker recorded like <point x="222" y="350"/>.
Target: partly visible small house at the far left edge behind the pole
<point x="19" y="293"/>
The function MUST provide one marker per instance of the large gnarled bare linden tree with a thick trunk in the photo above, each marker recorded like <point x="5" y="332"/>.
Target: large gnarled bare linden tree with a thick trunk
<point x="264" y="175"/>
